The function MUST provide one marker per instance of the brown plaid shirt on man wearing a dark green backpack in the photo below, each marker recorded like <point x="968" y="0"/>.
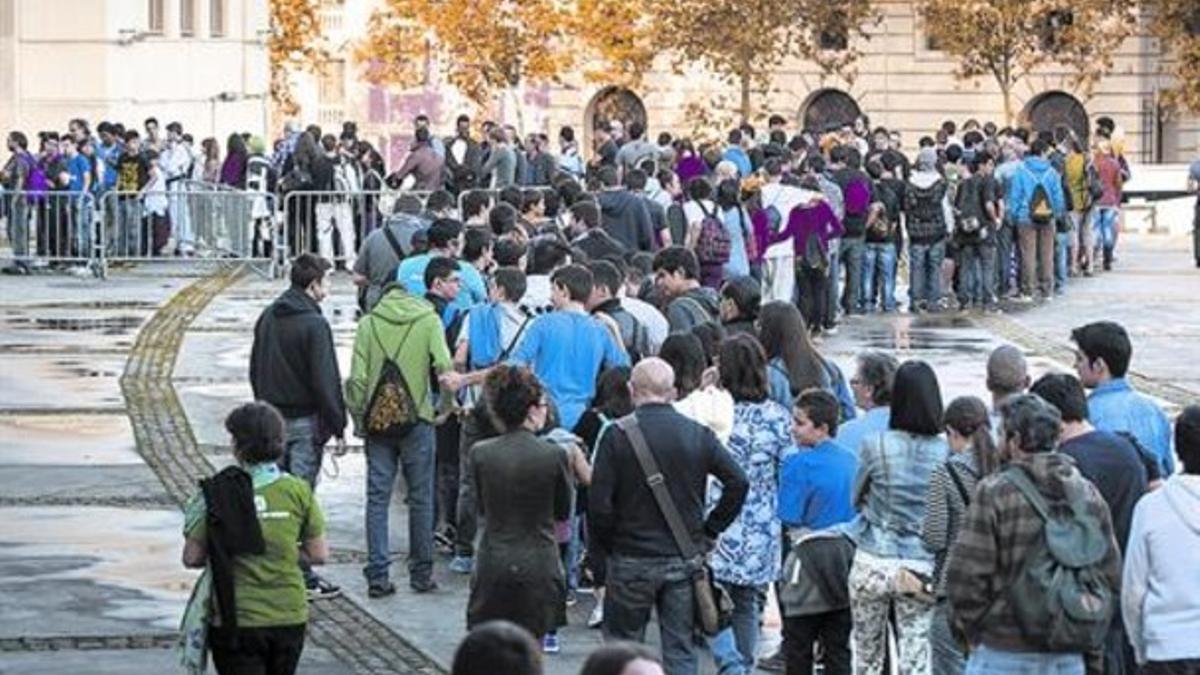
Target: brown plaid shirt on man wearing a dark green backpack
<point x="1001" y="528"/>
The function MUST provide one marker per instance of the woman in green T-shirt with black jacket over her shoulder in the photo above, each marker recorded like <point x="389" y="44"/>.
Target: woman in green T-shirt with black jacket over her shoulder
<point x="253" y="570"/>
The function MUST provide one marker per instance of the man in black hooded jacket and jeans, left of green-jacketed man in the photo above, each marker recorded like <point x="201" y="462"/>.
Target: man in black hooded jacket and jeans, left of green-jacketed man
<point x="293" y="367"/>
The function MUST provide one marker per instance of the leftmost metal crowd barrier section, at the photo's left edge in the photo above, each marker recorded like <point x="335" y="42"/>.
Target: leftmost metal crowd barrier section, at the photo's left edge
<point x="51" y="226"/>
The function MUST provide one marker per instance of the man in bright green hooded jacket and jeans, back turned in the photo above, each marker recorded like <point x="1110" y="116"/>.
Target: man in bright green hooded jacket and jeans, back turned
<point x="407" y="331"/>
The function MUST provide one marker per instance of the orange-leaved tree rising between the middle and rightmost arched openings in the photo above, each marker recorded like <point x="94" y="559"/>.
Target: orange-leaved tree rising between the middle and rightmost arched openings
<point x="1007" y="40"/>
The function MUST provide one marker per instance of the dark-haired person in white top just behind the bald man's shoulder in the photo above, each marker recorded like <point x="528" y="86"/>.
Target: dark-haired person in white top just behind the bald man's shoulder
<point x="711" y="407"/>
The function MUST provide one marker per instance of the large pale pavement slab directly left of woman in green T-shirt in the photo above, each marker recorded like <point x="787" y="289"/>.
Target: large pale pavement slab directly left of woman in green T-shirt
<point x="88" y="571"/>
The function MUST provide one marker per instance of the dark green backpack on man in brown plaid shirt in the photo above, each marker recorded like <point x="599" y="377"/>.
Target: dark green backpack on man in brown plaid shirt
<point x="1060" y="599"/>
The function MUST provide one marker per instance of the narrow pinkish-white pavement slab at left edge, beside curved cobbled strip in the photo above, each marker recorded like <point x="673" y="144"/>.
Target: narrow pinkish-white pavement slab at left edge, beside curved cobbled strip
<point x="73" y="440"/>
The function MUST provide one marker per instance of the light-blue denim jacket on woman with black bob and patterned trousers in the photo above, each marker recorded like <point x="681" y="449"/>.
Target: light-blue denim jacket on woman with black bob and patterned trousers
<point x="895" y="470"/>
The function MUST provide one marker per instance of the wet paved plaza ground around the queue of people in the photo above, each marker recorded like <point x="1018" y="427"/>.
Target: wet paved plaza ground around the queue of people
<point x="112" y="399"/>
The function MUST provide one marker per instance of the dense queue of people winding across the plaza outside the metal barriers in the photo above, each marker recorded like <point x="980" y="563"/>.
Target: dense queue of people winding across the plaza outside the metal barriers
<point x="615" y="385"/>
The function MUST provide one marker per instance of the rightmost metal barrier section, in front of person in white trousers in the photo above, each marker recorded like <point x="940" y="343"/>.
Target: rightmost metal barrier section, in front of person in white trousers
<point x="334" y="224"/>
